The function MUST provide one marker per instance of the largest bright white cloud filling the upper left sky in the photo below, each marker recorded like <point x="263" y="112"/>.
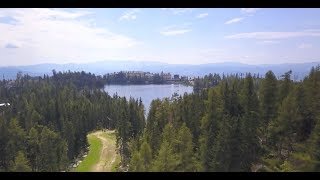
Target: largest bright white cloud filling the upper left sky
<point x="56" y="34"/>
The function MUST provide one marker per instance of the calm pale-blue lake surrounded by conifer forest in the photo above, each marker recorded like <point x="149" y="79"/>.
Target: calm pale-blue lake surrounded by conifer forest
<point x="148" y="92"/>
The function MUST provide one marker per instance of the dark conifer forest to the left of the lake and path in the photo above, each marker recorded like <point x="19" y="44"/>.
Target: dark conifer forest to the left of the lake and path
<point x="45" y="126"/>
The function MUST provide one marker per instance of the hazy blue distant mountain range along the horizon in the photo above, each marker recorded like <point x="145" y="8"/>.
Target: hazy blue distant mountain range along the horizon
<point x="300" y="70"/>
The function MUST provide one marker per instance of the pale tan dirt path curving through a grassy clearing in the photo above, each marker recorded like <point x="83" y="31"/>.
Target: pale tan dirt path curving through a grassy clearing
<point x="108" y="152"/>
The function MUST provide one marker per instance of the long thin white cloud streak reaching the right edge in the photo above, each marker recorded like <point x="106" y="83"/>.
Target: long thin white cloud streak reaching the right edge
<point x="275" y="35"/>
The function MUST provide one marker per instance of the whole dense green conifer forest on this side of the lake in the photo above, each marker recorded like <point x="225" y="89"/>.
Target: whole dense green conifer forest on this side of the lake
<point x="230" y="123"/>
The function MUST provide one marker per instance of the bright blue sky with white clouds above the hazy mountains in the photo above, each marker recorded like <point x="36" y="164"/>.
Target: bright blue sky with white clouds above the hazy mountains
<point x="171" y="35"/>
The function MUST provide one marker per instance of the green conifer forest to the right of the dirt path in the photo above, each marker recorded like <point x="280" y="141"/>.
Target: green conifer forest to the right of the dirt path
<point x="234" y="124"/>
